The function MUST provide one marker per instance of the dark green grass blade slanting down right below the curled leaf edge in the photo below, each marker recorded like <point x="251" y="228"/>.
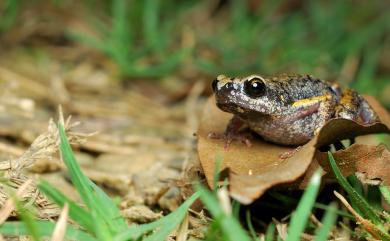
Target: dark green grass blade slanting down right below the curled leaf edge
<point x="364" y="207"/>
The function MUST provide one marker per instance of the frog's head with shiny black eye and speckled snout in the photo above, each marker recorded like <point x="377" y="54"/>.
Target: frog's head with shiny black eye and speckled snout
<point x="251" y="95"/>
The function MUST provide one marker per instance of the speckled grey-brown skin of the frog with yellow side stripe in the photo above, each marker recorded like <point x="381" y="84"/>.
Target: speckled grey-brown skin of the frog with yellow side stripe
<point x="290" y="107"/>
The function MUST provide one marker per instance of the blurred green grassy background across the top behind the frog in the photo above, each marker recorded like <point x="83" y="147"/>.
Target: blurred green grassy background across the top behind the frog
<point x="344" y="41"/>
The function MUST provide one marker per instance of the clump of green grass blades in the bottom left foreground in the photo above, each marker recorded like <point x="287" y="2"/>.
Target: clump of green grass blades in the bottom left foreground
<point x="100" y="219"/>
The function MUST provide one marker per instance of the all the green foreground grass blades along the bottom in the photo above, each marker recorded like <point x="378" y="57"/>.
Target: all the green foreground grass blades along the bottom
<point x="100" y="219"/>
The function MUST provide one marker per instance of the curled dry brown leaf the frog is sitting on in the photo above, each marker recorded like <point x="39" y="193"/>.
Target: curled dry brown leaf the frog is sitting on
<point x="252" y="170"/>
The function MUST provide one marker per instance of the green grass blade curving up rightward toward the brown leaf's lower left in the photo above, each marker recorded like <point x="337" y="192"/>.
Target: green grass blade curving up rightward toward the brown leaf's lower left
<point x="135" y="232"/>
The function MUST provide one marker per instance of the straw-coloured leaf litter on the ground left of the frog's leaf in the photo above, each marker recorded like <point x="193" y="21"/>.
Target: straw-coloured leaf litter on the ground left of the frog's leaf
<point x="131" y="155"/>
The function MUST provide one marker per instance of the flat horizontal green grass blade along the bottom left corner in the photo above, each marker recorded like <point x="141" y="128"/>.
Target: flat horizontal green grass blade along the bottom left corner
<point x="45" y="228"/>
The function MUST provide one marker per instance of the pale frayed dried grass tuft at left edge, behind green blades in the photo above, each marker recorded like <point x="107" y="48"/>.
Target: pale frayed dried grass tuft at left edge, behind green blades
<point x="14" y="170"/>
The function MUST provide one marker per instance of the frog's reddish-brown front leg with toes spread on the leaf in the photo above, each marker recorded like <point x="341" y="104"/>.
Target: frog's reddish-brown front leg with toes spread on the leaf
<point x="233" y="133"/>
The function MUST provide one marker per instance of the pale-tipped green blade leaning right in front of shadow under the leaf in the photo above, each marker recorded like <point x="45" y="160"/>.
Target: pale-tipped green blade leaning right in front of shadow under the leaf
<point x="300" y="216"/>
